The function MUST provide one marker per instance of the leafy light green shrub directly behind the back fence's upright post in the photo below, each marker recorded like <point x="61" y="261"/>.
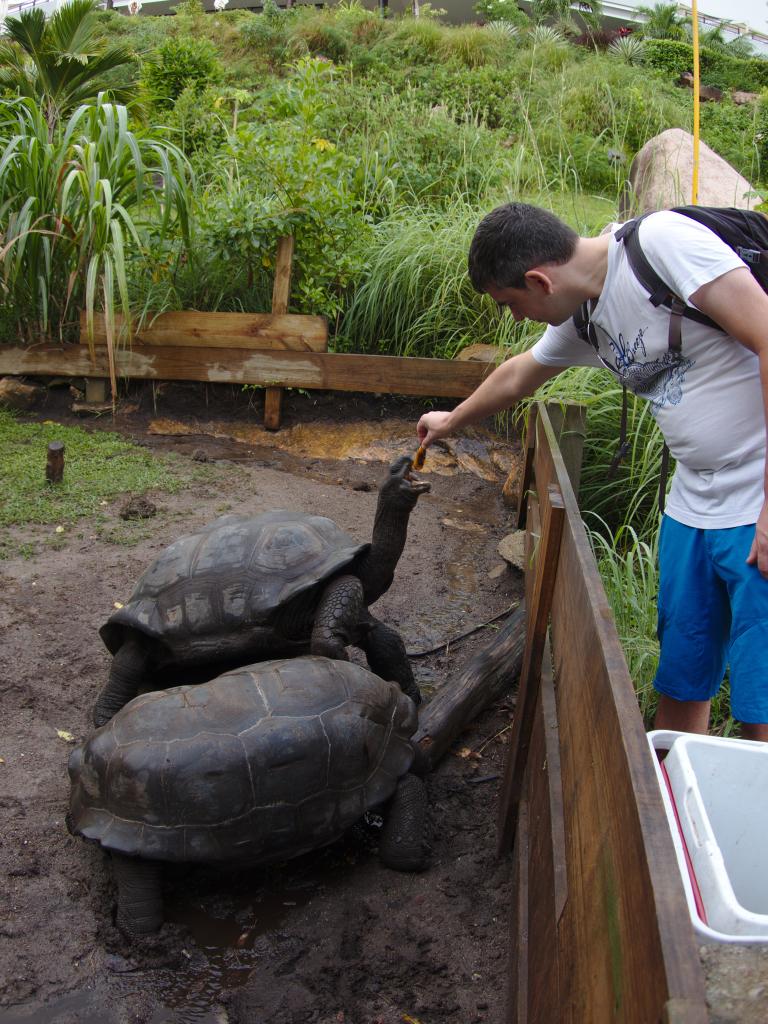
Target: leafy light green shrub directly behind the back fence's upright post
<point x="285" y="178"/>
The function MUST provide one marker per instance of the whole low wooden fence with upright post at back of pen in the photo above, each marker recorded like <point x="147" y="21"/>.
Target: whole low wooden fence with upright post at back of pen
<point x="274" y="351"/>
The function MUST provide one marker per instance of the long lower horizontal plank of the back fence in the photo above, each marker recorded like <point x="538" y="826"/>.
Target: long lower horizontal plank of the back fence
<point x="329" y="371"/>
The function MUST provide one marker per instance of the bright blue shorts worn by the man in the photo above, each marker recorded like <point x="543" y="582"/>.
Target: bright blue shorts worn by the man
<point x="713" y="613"/>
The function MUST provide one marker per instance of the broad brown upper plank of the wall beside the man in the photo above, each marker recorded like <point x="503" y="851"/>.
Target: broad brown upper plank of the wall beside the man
<point x="626" y="947"/>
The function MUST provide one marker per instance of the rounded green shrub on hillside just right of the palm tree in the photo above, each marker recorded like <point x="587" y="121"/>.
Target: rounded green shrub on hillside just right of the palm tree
<point x="179" y="65"/>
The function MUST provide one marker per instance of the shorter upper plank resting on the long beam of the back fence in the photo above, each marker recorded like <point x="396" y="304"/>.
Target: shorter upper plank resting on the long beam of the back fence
<point x="291" y="332"/>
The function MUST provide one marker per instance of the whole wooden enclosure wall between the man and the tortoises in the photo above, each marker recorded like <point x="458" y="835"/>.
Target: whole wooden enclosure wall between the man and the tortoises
<point x="601" y="929"/>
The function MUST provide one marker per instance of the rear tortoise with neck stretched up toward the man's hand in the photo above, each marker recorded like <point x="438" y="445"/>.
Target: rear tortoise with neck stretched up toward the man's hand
<point x="247" y="588"/>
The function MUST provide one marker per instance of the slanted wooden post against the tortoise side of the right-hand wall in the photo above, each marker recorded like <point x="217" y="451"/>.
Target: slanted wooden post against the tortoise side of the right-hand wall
<point x="553" y="518"/>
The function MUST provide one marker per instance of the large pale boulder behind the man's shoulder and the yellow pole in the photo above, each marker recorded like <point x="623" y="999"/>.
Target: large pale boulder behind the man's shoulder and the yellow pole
<point x="662" y="176"/>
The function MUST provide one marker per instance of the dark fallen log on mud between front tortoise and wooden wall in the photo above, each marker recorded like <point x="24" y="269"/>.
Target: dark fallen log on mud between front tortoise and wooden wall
<point x="487" y="677"/>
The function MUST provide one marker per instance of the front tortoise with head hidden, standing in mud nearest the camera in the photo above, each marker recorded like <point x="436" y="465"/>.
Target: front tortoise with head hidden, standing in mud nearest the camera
<point x="262" y="764"/>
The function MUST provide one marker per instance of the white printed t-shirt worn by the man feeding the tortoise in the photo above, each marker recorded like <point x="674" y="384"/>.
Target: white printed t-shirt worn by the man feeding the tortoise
<point x="709" y="405"/>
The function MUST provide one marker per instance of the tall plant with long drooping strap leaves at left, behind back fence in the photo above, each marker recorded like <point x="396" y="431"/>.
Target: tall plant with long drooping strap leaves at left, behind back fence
<point x="73" y="209"/>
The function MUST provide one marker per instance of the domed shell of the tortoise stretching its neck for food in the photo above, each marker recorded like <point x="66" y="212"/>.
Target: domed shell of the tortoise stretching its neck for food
<point x="232" y="575"/>
